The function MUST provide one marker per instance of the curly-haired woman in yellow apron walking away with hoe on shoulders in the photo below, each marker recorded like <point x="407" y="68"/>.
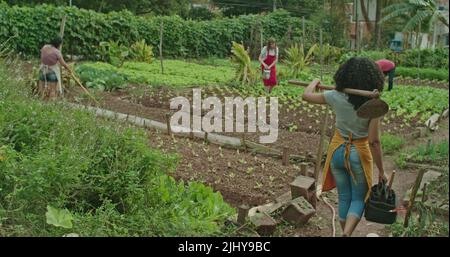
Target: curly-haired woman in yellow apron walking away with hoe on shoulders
<point x="356" y="141"/>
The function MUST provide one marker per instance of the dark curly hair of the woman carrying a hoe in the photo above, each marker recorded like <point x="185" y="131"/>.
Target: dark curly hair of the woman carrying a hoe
<point x="359" y="73"/>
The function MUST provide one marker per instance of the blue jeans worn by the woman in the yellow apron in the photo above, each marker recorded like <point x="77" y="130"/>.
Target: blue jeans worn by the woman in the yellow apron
<point x="351" y="192"/>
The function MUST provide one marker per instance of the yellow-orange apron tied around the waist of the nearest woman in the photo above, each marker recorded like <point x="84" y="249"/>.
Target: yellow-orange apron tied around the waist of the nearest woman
<point x="363" y="149"/>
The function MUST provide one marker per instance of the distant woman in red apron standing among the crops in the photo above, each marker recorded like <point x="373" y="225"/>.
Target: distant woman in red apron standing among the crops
<point x="268" y="59"/>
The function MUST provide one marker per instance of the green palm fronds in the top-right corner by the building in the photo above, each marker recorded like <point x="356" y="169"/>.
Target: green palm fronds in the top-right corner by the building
<point x="420" y="11"/>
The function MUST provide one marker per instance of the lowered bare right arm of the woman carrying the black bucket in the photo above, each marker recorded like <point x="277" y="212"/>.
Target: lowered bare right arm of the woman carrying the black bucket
<point x="375" y="147"/>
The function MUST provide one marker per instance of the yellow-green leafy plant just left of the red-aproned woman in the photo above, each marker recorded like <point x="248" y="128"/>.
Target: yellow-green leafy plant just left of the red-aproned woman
<point x="245" y="74"/>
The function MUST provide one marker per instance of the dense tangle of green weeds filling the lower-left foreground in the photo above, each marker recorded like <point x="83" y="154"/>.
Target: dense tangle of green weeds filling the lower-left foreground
<point x="103" y="178"/>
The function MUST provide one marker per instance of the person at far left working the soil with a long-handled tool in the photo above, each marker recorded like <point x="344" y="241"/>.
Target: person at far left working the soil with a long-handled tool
<point x="49" y="72"/>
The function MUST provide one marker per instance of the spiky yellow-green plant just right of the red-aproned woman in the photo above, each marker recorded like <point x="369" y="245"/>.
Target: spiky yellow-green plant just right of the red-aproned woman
<point x="296" y="58"/>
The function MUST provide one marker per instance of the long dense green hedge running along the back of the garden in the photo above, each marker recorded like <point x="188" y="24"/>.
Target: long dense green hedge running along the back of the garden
<point x="182" y="38"/>
